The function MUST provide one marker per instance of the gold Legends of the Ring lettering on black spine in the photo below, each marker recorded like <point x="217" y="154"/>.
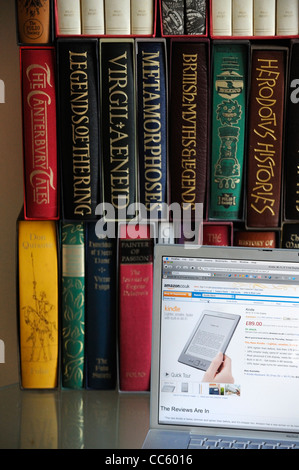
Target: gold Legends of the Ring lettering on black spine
<point x="80" y="133"/>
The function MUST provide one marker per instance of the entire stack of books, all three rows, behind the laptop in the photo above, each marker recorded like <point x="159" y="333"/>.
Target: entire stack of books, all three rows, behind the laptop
<point x="143" y="103"/>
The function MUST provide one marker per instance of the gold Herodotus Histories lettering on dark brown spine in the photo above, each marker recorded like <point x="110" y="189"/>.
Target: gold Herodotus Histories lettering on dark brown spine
<point x="263" y="192"/>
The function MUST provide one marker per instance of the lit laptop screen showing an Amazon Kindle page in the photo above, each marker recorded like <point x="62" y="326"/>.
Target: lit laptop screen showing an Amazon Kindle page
<point x="229" y="344"/>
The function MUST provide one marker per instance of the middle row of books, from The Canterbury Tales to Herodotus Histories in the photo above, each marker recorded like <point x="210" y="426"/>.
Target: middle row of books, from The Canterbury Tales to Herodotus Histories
<point x="129" y="136"/>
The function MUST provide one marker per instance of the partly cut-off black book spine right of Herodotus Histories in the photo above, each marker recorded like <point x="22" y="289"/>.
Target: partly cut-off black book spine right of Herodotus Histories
<point x="291" y="173"/>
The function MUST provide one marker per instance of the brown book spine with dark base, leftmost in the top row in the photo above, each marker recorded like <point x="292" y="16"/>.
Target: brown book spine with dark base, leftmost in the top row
<point x="34" y="22"/>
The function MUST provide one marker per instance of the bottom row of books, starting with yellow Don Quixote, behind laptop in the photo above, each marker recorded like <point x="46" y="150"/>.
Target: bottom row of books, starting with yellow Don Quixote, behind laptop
<point x="85" y="302"/>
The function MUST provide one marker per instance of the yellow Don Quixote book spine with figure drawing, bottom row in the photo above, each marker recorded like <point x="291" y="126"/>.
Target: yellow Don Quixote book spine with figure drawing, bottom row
<point x="38" y="303"/>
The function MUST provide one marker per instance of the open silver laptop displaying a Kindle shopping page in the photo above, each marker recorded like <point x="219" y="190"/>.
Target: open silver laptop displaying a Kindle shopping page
<point x="225" y="350"/>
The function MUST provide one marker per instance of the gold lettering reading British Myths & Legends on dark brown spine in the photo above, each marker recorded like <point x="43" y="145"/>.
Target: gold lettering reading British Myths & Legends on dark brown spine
<point x="188" y="130"/>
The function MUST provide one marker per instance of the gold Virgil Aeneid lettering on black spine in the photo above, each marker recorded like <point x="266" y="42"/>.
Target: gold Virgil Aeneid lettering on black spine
<point x="118" y="119"/>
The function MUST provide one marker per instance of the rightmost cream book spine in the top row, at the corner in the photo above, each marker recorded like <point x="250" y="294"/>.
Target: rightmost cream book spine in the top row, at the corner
<point x="287" y="17"/>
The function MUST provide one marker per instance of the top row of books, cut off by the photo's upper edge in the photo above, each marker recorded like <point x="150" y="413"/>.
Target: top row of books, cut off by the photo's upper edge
<point x="217" y="19"/>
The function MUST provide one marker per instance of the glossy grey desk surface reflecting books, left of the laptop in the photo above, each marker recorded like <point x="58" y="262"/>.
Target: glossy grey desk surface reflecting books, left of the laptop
<point x="66" y="419"/>
